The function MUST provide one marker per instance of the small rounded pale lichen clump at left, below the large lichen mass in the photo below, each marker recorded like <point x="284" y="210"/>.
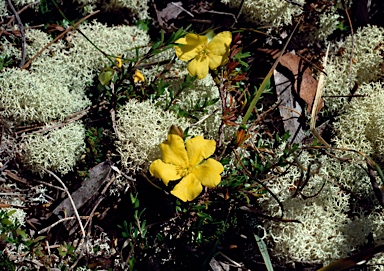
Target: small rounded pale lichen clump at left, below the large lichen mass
<point x="57" y="150"/>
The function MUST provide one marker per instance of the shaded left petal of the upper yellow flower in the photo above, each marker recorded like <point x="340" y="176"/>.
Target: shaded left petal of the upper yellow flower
<point x="190" y="43"/>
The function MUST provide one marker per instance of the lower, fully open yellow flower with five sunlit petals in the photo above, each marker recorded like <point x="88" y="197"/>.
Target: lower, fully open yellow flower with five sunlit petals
<point x="186" y="163"/>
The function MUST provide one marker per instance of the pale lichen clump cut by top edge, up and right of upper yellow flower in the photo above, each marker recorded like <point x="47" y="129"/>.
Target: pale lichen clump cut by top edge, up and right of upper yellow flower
<point x="275" y="13"/>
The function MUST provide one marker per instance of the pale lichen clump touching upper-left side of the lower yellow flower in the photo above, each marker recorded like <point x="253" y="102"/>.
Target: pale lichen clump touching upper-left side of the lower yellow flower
<point x="142" y="127"/>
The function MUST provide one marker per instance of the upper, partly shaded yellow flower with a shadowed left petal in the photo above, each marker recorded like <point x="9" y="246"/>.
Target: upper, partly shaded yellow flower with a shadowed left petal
<point x="204" y="54"/>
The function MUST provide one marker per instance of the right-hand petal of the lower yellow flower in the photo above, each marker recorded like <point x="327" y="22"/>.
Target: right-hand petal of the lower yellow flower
<point x="208" y="173"/>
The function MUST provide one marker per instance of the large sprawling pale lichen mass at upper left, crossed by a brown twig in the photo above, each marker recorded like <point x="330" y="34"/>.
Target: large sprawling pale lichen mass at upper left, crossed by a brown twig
<point x="63" y="74"/>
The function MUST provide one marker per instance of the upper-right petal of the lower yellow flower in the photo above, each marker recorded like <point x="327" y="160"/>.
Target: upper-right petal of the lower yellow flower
<point x="199" y="149"/>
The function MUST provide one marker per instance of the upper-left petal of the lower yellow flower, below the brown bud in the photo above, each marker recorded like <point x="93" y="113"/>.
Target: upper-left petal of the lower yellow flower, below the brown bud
<point x="173" y="151"/>
